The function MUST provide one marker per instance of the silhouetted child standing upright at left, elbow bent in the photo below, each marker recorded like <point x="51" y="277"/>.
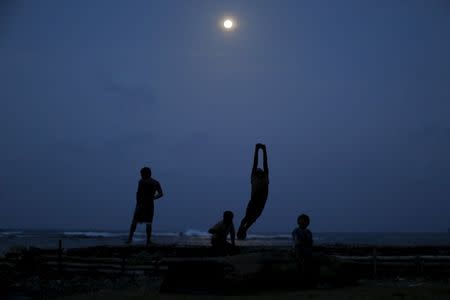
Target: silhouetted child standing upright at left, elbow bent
<point x="148" y="190"/>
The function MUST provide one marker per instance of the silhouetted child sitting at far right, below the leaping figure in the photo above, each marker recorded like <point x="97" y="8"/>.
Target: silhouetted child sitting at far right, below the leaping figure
<point x="303" y="241"/>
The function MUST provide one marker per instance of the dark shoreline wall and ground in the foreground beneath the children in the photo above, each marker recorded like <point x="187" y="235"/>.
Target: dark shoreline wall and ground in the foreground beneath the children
<point x="33" y="273"/>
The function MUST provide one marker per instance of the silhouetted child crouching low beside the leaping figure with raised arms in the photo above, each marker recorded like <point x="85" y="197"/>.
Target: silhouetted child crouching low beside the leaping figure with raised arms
<point x="220" y="232"/>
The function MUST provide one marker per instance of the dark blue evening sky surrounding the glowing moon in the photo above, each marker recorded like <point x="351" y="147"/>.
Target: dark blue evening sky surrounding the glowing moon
<point x="352" y="99"/>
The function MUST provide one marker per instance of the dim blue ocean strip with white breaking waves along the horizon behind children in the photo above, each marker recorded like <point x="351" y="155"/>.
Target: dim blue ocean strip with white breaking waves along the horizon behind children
<point x="83" y="238"/>
